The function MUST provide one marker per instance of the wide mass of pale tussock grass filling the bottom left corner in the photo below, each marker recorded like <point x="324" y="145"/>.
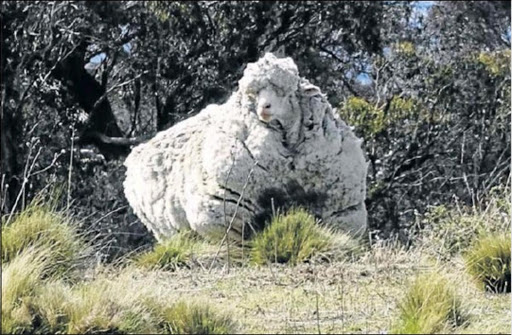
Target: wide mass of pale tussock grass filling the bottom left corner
<point x="112" y="303"/>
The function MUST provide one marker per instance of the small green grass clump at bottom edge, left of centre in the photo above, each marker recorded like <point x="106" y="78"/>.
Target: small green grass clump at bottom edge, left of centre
<point x="194" y="318"/>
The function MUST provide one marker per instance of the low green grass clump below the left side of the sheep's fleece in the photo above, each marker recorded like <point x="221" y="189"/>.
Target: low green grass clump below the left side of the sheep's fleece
<point x="173" y="253"/>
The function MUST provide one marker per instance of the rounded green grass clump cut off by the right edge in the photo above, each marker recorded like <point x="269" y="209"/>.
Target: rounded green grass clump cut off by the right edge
<point x="488" y="261"/>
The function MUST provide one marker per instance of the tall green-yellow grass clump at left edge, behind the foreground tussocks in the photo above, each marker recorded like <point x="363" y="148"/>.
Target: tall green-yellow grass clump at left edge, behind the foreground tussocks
<point x="40" y="225"/>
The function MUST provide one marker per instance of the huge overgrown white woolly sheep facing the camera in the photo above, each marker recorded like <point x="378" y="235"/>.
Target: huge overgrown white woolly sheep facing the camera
<point x="276" y="138"/>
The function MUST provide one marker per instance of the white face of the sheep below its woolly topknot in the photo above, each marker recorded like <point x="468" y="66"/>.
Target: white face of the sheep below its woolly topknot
<point x="271" y="106"/>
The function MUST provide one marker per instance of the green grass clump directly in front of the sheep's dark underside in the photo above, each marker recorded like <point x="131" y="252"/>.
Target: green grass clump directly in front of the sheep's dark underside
<point x="290" y="238"/>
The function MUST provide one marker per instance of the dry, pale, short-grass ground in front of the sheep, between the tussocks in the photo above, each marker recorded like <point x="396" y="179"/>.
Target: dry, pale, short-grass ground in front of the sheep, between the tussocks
<point x="357" y="296"/>
